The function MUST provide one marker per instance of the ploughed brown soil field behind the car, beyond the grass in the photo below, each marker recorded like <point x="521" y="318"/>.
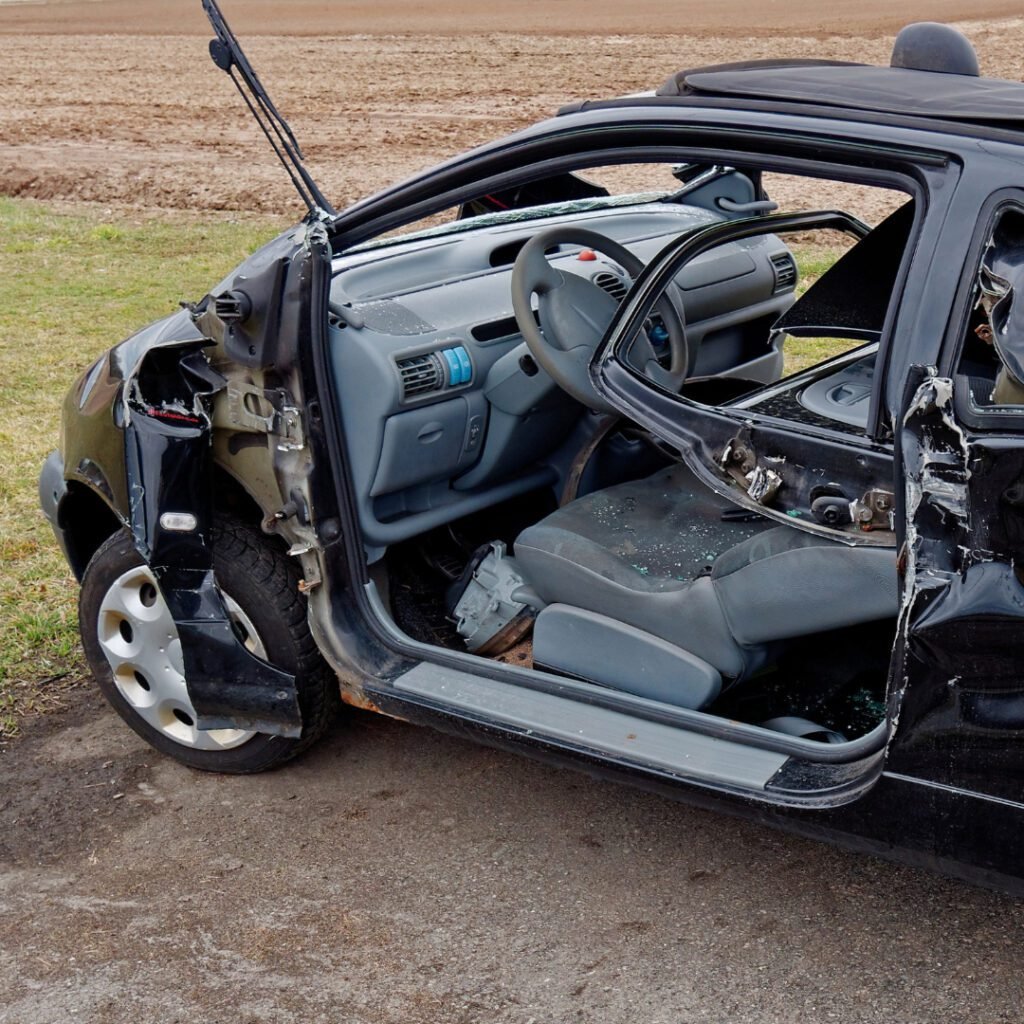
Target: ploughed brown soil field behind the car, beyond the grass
<point x="149" y="121"/>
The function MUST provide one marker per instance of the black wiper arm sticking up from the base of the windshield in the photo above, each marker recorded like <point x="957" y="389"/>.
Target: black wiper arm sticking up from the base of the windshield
<point x="229" y="57"/>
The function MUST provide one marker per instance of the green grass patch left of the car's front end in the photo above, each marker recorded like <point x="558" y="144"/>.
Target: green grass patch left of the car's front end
<point x="74" y="285"/>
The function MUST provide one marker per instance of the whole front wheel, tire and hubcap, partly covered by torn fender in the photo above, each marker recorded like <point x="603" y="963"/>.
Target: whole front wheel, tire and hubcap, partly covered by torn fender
<point x="135" y="653"/>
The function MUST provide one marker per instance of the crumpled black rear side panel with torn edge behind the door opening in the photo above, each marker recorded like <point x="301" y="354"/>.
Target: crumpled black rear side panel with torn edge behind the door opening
<point x="960" y="646"/>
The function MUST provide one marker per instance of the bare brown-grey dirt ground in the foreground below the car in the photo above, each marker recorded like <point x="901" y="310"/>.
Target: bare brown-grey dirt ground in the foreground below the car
<point x="396" y="876"/>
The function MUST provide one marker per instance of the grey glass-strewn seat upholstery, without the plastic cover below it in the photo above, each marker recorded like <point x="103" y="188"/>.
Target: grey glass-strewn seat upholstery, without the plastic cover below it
<point x="657" y="554"/>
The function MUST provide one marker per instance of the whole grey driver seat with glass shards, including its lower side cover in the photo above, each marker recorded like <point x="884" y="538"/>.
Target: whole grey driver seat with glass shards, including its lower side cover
<point x="661" y="588"/>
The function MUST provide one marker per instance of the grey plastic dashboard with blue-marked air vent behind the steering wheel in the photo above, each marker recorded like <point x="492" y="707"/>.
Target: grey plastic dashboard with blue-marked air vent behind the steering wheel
<point x="444" y="410"/>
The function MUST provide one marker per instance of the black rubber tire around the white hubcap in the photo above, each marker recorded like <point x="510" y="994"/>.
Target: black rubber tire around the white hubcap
<point x="265" y="584"/>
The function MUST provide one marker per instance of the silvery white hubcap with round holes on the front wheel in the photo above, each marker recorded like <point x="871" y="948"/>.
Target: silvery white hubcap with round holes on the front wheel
<point x="141" y="642"/>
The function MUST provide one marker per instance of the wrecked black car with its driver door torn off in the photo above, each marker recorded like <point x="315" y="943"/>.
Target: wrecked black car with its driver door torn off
<point x="598" y="444"/>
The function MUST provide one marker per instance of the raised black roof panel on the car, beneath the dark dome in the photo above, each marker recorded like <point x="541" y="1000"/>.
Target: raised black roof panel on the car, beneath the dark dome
<point x="866" y="89"/>
